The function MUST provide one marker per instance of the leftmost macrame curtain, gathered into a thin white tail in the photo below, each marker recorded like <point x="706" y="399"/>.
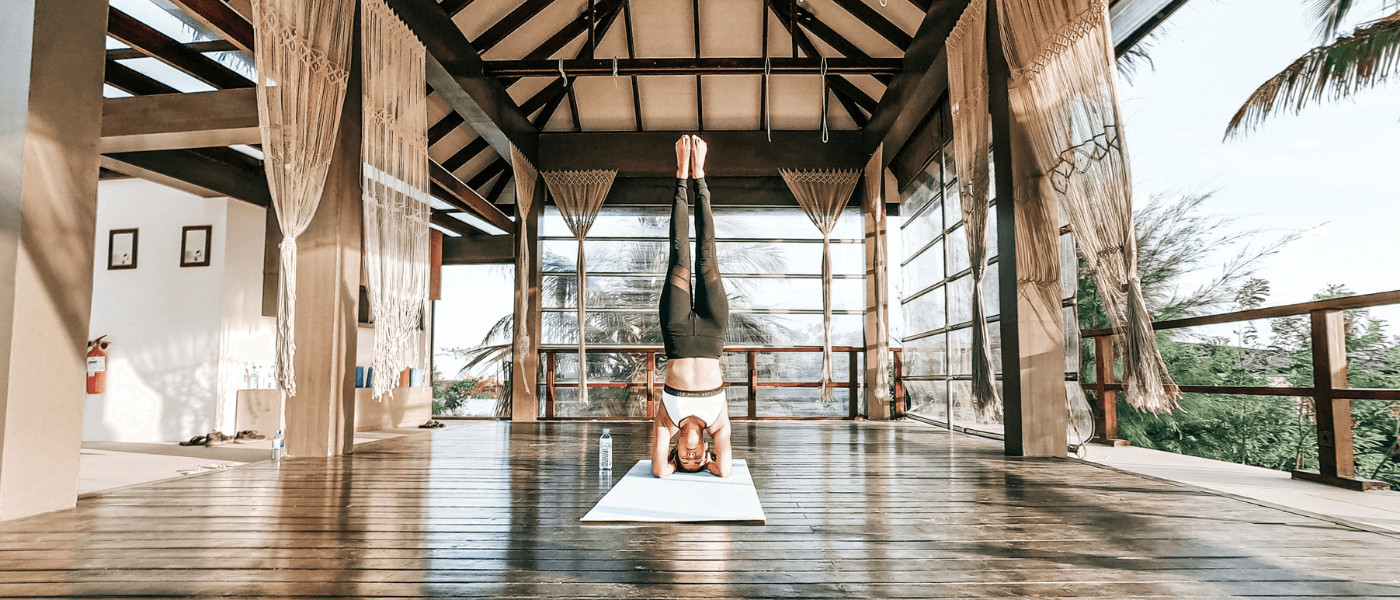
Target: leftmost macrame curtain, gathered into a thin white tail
<point x="303" y="57"/>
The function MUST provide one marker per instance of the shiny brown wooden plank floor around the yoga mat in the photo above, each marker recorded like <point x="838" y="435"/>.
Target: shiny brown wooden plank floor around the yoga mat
<point x="491" y="510"/>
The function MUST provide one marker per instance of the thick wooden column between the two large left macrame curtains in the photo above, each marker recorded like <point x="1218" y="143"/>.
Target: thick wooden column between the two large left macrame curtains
<point x="321" y="417"/>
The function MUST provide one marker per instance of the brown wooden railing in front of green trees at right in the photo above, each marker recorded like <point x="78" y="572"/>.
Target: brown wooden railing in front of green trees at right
<point x="1331" y="394"/>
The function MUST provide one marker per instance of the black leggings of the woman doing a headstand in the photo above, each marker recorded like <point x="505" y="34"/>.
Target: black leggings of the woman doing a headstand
<point x="694" y="328"/>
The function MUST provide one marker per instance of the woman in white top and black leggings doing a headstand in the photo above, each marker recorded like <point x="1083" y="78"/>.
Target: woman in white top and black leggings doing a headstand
<point x="694" y="402"/>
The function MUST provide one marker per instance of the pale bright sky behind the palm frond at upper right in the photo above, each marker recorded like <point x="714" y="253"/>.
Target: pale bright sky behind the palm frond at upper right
<point x="1332" y="171"/>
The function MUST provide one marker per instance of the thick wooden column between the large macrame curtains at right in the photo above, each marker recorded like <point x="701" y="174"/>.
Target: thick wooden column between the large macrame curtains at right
<point x="1032" y="341"/>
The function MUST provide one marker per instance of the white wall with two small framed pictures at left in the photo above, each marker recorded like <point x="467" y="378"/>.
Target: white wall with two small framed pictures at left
<point x="180" y="336"/>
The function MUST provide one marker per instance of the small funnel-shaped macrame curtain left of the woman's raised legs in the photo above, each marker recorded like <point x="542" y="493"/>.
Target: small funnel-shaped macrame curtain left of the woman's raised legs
<point x="580" y="197"/>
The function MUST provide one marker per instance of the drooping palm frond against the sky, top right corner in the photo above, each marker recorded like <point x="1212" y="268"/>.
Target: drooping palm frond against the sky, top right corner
<point x="1340" y="68"/>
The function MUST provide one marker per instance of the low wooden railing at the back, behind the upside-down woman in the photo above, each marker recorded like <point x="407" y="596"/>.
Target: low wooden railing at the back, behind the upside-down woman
<point x="653" y="385"/>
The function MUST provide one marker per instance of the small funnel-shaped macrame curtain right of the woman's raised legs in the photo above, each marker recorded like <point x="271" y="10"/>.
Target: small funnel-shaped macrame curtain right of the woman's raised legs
<point x="824" y="197"/>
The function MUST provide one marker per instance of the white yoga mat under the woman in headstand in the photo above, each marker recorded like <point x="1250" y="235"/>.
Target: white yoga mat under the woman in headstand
<point x="680" y="499"/>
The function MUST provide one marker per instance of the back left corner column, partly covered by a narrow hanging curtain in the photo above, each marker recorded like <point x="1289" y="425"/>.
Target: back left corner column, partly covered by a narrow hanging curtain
<point x="526" y="370"/>
